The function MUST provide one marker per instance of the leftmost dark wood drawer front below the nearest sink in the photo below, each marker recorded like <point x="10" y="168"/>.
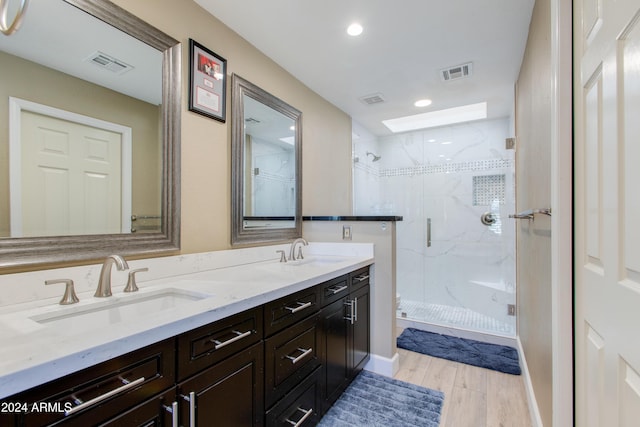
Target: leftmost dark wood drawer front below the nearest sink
<point x="95" y="394"/>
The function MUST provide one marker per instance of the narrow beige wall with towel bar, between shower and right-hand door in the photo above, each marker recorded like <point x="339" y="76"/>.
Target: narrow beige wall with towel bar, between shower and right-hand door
<point x="533" y="169"/>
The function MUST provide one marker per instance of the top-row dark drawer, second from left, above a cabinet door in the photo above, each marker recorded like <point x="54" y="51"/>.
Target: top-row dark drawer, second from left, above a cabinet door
<point x="202" y="347"/>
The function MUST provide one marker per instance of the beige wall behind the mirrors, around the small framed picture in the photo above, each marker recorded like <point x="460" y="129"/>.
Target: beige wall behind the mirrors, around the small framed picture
<point x="206" y="150"/>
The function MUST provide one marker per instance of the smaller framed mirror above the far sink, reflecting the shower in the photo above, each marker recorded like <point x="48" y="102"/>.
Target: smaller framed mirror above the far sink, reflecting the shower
<point x="266" y="166"/>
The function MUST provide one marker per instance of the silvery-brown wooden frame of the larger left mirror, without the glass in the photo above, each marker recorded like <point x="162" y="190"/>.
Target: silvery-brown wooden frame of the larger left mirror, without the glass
<point x="29" y="251"/>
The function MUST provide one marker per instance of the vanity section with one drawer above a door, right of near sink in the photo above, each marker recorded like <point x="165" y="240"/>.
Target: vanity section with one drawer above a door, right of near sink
<point x="221" y="372"/>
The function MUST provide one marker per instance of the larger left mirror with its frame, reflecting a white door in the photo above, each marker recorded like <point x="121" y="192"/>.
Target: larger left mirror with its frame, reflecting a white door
<point x="92" y="64"/>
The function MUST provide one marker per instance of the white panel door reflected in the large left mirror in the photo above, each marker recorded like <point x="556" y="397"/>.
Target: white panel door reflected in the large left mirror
<point x="71" y="178"/>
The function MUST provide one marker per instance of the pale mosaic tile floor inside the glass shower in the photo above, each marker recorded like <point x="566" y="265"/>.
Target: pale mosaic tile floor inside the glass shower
<point x="453" y="316"/>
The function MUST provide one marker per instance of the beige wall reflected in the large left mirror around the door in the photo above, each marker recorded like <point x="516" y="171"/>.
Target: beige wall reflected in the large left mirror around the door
<point x="42" y="85"/>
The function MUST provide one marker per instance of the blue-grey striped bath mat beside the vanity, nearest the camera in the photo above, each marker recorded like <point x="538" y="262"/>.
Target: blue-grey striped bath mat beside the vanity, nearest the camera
<point x="376" y="401"/>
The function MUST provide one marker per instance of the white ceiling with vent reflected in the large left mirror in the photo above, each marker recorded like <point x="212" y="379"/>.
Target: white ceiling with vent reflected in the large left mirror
<point x="60" y="36"/>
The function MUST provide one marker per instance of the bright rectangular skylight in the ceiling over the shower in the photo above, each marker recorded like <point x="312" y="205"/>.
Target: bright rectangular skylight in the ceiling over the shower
<point x="466" y="113"/>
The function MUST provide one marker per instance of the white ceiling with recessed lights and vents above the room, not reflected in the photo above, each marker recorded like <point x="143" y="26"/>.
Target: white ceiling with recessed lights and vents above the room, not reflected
<point x="399" y="54"/>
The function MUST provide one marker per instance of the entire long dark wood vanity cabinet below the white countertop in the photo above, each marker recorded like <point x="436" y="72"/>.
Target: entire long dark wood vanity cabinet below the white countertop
<point x="280" y="364"/>
